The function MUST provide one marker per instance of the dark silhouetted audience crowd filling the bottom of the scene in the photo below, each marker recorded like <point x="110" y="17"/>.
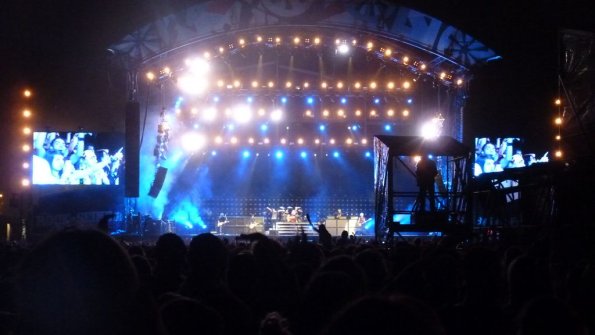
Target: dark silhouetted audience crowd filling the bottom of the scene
<point x="83" y="281"/>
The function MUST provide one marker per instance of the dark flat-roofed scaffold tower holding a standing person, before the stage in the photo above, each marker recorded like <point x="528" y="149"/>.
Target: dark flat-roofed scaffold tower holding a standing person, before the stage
<point x="396" y="191"/>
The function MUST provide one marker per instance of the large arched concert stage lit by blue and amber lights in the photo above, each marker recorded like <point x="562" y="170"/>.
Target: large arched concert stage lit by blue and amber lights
<point x="270" y="114"/>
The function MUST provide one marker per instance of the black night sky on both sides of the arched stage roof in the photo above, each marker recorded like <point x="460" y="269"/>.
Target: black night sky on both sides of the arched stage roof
<point x="60" y="45"/>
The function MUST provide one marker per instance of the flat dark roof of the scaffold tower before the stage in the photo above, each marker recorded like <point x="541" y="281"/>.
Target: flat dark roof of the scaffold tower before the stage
<point x="417" y="145"/>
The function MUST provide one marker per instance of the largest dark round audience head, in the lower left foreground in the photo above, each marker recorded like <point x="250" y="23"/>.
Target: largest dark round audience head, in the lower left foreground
<point x="76" y="282"/>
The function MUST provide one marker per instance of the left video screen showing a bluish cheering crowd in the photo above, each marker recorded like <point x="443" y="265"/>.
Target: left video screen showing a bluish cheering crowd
<point x="77" y="158"/>
